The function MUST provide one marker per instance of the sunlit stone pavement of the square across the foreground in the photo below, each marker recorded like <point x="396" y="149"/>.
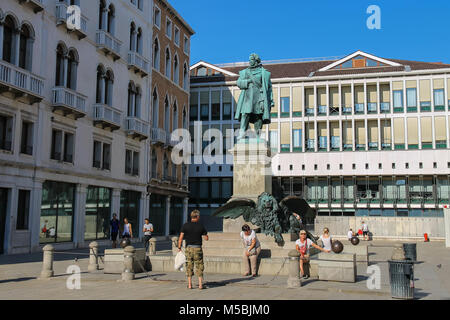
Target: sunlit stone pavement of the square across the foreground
<point x="18" y="280"/>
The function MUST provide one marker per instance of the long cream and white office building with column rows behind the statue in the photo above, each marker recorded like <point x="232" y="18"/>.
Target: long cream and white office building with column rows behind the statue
<point x="355" y="136"/>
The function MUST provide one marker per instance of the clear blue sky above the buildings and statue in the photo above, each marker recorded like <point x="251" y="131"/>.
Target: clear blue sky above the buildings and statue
<point x="229" y="30"/>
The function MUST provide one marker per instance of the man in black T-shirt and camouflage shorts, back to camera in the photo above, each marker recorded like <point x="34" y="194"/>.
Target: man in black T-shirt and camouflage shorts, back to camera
<point x="193" y="232"/>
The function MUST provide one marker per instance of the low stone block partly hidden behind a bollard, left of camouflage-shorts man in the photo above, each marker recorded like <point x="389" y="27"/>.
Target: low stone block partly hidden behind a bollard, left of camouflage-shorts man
<point x="113" y="261"/>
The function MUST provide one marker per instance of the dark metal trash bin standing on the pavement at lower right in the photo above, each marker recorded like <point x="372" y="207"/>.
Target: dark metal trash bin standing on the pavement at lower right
<point x="401" y="278"/>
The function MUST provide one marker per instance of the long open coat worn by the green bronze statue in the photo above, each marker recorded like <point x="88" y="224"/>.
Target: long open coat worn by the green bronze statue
<point x="243" y="83"/>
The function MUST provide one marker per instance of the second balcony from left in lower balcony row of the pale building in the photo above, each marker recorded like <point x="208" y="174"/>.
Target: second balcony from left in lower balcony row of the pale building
<point x="69" y="102"/>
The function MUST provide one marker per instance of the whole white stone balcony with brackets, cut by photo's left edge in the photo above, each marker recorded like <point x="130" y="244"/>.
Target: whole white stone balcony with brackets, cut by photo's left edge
<point x="20" y="82"/>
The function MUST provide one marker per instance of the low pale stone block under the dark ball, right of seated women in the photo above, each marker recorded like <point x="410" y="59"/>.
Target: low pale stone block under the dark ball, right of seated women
<point x="334" y="267"/>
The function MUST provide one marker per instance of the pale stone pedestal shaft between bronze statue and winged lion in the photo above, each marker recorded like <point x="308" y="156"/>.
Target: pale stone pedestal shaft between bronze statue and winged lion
<point x="252" y="172"/>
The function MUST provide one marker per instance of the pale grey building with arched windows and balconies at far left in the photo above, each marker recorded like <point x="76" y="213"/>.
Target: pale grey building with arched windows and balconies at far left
<point x="75" y="120"/>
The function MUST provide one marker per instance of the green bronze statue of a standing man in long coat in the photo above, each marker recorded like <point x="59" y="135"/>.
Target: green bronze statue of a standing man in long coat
<point x="256" y="98"/>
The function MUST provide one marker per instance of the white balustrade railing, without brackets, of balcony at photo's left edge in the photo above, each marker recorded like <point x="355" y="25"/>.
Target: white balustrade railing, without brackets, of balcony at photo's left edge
<point x="21" y="78"/>
